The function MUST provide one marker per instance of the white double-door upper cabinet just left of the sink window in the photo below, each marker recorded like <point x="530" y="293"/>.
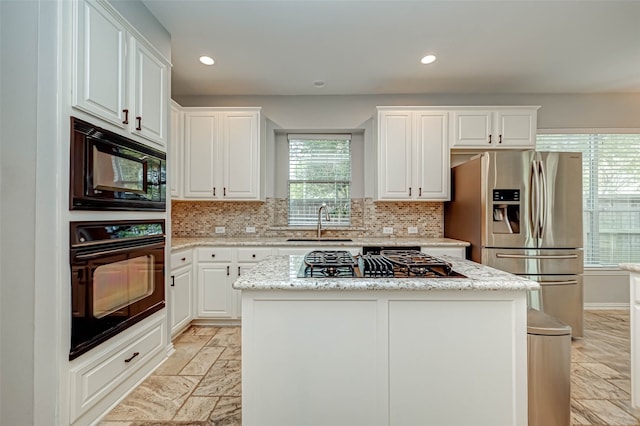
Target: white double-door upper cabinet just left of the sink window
<point x="222" y="154"/>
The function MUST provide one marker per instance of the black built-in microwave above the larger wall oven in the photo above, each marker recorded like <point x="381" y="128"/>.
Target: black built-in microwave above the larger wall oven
<point x="111" y="172"/>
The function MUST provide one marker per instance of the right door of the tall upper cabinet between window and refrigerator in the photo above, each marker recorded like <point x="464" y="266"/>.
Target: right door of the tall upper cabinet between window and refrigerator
<point x="431" y="165"/>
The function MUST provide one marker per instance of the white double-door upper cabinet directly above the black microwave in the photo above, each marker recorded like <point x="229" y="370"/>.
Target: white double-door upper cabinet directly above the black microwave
<point x="118" y="76"/>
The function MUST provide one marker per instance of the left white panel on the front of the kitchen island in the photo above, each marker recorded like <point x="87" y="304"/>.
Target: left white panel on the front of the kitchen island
<point x="318" y="363"/>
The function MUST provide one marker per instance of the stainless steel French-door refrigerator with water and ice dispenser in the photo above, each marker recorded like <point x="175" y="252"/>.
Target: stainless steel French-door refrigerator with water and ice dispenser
<point x="522" y="213"/>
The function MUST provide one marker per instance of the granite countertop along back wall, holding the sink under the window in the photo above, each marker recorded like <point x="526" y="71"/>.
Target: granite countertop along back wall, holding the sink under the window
<point x="182" y="243"/>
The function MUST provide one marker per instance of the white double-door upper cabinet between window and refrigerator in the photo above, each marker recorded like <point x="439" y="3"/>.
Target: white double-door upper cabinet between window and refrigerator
<point x="413" y="154"/>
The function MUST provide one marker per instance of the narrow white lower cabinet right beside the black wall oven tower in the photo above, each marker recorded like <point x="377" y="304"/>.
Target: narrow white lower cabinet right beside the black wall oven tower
<point x="181" y="291"/>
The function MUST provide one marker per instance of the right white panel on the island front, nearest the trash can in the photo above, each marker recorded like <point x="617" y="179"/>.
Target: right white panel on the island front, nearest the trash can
<point x="461" y="349"/>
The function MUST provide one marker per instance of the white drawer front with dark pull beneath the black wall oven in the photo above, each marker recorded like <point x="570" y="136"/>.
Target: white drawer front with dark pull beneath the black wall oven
<point x="92" y="380"/>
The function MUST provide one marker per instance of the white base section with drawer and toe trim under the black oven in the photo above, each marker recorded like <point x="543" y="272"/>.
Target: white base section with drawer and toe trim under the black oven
<point x="104" y="375"/>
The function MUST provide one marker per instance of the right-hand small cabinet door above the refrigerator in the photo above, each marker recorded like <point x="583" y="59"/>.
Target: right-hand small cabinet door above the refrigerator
<point x="516" y="128"/>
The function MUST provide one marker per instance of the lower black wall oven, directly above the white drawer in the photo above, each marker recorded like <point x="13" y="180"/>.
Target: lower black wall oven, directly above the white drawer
<point x="117" y="278"/>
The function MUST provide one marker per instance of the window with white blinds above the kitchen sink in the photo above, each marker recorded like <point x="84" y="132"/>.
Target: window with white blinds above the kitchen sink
<point x="319" y="172"/>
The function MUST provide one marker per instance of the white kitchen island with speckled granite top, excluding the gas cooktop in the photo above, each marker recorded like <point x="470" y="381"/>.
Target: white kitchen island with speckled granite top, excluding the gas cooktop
<point x="383" y="351"/>
